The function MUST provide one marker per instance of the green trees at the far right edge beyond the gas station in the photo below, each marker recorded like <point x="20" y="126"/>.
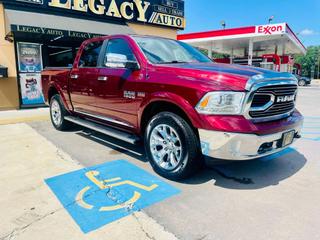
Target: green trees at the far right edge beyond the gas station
<point x="310" y="61"/>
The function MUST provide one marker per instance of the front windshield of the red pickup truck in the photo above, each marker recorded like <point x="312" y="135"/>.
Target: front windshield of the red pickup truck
<point x="162" y="51"/>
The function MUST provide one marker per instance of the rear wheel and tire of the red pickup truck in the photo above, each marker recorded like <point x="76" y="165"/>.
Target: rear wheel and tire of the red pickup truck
<point x="57" y="114"/>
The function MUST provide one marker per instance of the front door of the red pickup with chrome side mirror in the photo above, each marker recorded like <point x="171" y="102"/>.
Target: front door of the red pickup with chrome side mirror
<point x="116" y="96"/>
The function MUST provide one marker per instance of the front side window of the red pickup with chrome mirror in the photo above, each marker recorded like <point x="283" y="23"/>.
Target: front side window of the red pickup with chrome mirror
<point x="118" y="53"/>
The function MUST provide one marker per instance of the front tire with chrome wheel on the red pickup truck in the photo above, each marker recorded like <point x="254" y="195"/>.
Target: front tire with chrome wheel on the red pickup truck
<point x="172" y="147"/>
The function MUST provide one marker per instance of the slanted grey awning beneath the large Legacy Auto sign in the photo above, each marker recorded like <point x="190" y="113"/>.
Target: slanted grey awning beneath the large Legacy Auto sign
<point x="14" y="17"/>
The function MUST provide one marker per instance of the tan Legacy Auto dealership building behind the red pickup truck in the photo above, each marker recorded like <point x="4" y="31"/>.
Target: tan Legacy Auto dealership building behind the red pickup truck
<point x="35" y="34"/>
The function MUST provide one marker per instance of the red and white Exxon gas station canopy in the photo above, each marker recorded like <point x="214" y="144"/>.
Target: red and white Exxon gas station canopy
<point x="251" y="41"/>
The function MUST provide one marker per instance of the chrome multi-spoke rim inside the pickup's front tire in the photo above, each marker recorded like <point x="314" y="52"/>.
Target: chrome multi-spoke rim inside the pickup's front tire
<point x="165" y="147"/>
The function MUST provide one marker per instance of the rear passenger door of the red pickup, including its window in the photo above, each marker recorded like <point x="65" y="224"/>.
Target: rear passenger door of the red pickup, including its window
<point x="83" y="79"/>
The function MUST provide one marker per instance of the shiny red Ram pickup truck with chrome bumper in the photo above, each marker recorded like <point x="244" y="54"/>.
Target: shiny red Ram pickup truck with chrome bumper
<point x="171" y="96"/>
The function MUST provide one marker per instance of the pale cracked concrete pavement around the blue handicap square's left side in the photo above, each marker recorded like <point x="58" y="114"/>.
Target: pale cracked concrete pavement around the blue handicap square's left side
<point x="30" y="210"/>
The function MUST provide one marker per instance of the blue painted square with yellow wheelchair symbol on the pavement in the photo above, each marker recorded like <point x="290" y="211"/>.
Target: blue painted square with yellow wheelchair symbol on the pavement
<point x="105" y="193"/>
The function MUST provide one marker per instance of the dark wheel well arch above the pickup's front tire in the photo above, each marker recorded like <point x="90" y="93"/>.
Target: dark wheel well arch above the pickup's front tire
<point x="162" y="106"/>
